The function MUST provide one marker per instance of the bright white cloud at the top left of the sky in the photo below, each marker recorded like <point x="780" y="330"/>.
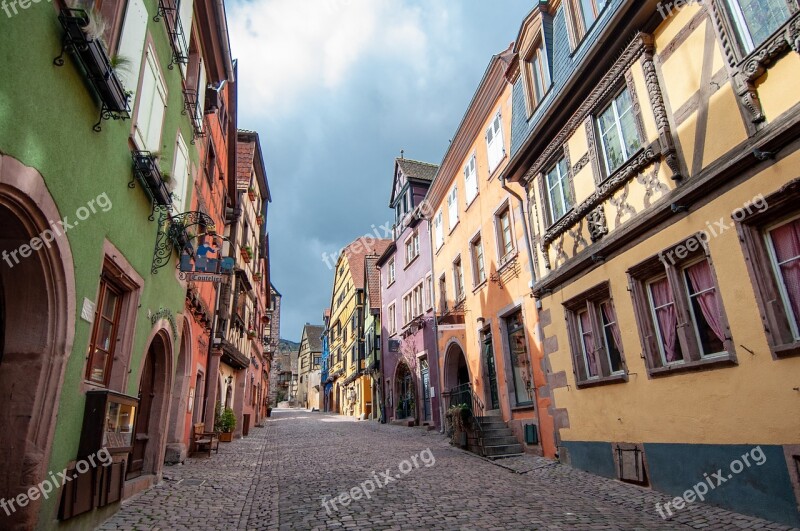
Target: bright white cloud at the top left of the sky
<point x="287" y="48"/>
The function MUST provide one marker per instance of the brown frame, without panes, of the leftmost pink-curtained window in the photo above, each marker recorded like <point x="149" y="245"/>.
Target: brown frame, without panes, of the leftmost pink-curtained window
<point x="591" y="302"/>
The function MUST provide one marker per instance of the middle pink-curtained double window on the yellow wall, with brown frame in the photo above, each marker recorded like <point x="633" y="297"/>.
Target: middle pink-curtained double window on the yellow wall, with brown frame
<point x="679" y="310"/>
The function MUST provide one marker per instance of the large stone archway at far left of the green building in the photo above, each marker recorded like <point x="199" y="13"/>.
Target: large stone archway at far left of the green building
<point x="37" y="324"/>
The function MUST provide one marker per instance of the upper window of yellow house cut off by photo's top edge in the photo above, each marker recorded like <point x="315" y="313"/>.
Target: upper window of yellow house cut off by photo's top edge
<point x="755" y="20"/>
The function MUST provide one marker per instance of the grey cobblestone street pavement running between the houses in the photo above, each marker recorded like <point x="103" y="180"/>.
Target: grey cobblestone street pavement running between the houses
<point x="278" y="477"/>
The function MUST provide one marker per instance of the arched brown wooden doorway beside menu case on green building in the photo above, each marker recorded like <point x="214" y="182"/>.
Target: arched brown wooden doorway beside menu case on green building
<point x="147" y="454"/>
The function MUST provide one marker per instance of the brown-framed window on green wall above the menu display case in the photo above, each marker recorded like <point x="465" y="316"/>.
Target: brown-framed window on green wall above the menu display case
<point x="105" y="330"/>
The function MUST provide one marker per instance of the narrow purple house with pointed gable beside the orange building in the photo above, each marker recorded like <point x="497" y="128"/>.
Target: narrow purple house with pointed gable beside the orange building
<point x="408" y="332"/>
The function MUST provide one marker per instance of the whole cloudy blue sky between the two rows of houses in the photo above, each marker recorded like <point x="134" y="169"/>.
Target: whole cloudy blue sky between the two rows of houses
<point x="336" y="89"/>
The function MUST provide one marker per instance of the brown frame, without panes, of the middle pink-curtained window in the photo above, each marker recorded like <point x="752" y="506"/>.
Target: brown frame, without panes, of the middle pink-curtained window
<point x="690" y="252"/>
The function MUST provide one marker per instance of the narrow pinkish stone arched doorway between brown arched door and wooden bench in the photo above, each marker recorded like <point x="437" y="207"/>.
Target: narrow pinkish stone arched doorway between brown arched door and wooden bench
<point x="178" y="437"/>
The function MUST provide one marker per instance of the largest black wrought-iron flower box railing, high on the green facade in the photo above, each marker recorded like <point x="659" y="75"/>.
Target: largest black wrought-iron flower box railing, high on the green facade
<point x="91" y="55"/>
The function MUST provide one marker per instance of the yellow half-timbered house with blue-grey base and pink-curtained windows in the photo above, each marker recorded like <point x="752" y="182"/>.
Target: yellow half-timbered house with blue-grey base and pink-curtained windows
<point x="662" y="186"/>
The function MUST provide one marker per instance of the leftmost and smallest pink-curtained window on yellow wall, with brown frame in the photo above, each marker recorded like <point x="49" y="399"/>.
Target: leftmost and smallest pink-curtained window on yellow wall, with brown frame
<point x="595" y="337"/>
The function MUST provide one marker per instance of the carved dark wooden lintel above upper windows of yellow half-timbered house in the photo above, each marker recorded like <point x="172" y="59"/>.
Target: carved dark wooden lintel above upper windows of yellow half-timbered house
<point x="604" y="88"/>
